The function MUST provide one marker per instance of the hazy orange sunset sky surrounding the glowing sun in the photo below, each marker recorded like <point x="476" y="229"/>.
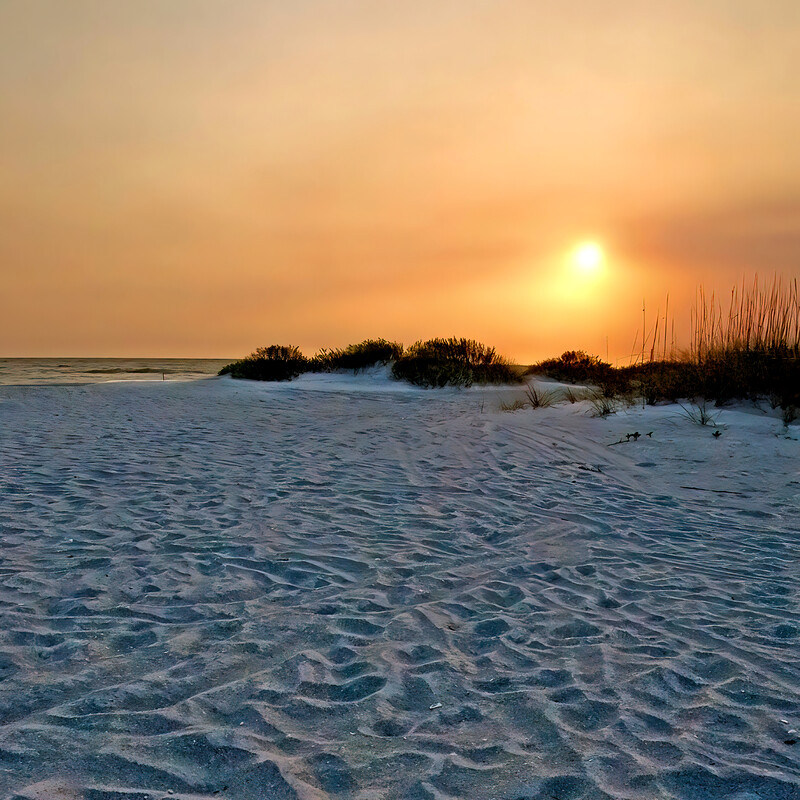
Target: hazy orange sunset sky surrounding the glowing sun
<point x="201" y="177"/>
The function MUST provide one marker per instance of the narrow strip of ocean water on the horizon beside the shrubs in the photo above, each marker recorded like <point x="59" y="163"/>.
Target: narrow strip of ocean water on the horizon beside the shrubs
<point x="29" y="371"/>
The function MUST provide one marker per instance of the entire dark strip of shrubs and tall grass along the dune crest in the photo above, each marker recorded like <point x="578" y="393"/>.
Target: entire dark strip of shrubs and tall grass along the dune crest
<point x="749" y="351"/>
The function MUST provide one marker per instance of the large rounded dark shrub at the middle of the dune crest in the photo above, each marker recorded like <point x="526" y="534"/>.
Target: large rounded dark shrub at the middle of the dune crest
<point x="453" y="362"/>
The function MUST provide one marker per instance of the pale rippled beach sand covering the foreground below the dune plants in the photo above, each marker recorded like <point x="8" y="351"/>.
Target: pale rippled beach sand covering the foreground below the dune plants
<point x="230" y="590"/>
